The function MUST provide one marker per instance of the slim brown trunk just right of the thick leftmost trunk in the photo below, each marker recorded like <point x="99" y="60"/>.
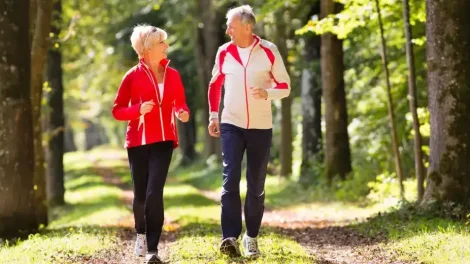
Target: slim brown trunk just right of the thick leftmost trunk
<point x="39" y="49"/>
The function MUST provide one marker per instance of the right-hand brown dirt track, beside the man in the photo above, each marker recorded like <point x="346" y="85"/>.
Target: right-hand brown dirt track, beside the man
<point x="329" y="241"/>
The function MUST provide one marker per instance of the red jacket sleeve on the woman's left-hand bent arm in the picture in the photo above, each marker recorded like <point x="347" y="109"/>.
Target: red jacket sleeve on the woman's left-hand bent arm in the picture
<point x="122" y="111"/>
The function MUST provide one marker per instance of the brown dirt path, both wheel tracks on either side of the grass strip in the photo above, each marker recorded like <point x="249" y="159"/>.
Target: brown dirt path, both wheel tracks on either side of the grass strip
<point x="329" y="241"/>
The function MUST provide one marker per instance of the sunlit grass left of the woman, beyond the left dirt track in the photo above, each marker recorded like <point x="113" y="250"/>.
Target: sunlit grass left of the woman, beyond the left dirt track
<point x="82" y="227"/>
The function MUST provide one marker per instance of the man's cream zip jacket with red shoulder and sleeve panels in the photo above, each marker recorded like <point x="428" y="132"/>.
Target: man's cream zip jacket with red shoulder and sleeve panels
<point x="264" y="69"/>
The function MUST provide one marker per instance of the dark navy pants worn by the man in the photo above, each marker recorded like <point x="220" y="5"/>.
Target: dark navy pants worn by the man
<point x="257" y="144"/>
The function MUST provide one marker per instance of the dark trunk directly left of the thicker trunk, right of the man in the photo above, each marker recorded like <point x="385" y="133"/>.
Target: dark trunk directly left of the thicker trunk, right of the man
<point x="311" y="109"/>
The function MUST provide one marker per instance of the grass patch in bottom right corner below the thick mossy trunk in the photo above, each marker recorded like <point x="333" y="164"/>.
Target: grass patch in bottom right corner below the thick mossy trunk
<point x="421" y="237"/>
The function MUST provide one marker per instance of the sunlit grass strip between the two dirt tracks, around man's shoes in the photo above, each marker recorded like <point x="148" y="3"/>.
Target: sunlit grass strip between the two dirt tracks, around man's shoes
<point x="200" y="233"/>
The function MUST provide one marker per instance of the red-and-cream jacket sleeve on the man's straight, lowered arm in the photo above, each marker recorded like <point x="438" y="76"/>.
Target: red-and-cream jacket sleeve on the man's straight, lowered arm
<point x="215" y="85"/>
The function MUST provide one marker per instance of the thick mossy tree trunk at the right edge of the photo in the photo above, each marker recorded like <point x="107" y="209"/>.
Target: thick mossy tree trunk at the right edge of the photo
<point x="448" y="60"/>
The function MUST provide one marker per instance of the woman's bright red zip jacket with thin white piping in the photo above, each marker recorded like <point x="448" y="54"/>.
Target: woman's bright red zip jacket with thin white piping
<point x="140" y="85"/>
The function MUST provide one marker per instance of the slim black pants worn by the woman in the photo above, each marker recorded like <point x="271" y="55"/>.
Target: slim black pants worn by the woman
<point x="149" y="166"/>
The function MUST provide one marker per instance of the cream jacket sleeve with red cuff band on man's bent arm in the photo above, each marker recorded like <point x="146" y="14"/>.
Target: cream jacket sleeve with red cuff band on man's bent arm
<point x="280" y="77"/>
